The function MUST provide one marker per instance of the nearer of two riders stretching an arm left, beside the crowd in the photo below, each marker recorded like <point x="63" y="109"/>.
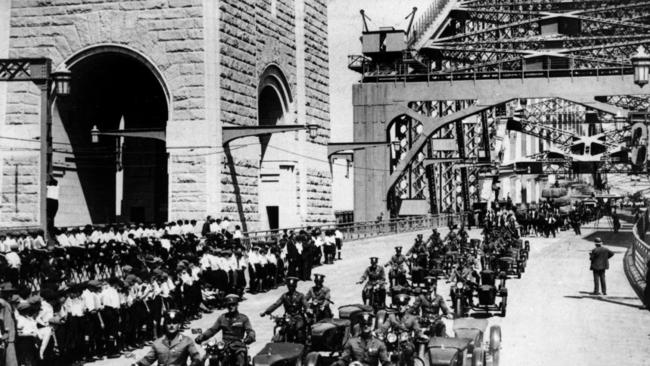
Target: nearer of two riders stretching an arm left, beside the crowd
<point x="236" y="328"/>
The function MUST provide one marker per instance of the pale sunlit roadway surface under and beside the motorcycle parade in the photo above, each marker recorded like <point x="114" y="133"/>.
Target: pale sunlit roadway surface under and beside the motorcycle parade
<point x="552" y="317"/>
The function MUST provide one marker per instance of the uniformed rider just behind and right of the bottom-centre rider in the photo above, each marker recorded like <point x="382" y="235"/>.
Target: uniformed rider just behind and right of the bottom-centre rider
<point x="403" y="321"/>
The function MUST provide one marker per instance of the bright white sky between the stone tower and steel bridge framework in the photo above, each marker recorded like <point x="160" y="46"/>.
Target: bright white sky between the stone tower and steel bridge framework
<point x="345" y="28"/>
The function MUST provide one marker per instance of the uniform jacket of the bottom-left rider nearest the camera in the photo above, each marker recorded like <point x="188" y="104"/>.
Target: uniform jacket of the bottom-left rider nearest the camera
<point x="172" y="353"/>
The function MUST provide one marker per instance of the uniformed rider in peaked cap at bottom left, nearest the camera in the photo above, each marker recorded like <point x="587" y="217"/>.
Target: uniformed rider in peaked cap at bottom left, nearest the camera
<point x="173" y="348"/>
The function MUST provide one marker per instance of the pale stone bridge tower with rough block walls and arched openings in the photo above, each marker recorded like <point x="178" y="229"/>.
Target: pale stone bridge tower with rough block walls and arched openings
<point x="217" y="63"/>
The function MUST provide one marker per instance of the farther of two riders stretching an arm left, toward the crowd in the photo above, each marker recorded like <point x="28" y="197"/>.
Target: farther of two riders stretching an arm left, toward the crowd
<point x="295" y="305"/>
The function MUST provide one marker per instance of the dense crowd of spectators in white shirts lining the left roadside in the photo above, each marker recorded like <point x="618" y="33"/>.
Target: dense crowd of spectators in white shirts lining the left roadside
<point x="100" y="291"/>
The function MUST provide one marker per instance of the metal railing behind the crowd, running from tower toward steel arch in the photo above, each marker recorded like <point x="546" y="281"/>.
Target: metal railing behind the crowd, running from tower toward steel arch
<point x="363" y="230"/>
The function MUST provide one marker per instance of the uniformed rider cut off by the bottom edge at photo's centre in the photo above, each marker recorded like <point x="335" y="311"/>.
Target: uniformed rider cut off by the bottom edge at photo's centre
<point x="364" y="348"/>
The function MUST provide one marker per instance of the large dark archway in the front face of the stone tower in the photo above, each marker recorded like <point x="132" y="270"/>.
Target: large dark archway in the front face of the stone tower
<point x="118" y="179"/>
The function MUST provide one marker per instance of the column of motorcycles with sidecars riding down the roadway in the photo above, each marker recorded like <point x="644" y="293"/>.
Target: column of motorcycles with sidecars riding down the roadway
<point x="473" y="344"/>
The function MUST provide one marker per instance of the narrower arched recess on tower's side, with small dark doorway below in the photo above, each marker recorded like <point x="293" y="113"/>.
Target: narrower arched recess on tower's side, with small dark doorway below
<point x="278" y="175"/>
